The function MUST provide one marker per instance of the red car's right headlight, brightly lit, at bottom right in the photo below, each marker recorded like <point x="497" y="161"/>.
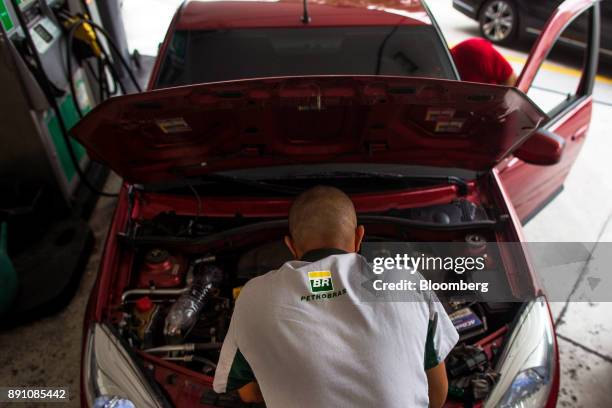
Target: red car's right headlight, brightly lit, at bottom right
<point x="527" y="365"/>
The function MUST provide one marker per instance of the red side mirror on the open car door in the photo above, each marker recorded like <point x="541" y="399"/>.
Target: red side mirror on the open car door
<point x="543" y="148"/>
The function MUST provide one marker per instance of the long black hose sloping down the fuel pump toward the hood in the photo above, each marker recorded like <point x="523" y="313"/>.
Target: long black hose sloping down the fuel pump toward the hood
<point x="60" y="120"/>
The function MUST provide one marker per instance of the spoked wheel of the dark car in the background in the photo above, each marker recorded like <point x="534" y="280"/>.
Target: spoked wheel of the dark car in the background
<point x="499" y="21"/>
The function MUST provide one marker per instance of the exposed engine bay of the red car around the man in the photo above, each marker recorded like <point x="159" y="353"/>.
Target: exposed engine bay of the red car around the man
<point x="179" y="300"/>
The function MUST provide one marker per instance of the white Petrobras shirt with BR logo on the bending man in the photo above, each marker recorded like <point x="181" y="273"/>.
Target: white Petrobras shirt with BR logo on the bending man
<point x="309" y="340"/>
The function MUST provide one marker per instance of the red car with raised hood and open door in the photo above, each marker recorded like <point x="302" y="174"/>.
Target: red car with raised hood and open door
<point x="362" y="96"/>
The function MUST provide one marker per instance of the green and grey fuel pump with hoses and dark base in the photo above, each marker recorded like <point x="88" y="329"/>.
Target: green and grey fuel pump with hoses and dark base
<point x="55" y="66"/>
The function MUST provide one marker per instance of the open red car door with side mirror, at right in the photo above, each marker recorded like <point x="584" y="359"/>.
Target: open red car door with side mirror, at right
<point x="531" y="179"/>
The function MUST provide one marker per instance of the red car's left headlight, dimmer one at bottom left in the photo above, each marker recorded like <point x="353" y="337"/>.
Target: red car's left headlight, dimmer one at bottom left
<point x="111" y="376"/>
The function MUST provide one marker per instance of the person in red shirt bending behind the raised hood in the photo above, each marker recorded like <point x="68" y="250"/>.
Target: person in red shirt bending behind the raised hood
<point x="478" y="61"/>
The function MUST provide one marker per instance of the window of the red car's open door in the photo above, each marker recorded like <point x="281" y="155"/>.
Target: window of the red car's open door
<point x="557" y="83"/>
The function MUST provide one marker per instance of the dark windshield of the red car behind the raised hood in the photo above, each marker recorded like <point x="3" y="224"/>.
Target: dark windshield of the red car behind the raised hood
<point x="230" y="54"/>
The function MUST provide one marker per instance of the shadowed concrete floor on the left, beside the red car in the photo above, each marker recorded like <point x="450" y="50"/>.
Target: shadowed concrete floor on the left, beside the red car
<point x="47" y="352"/>
